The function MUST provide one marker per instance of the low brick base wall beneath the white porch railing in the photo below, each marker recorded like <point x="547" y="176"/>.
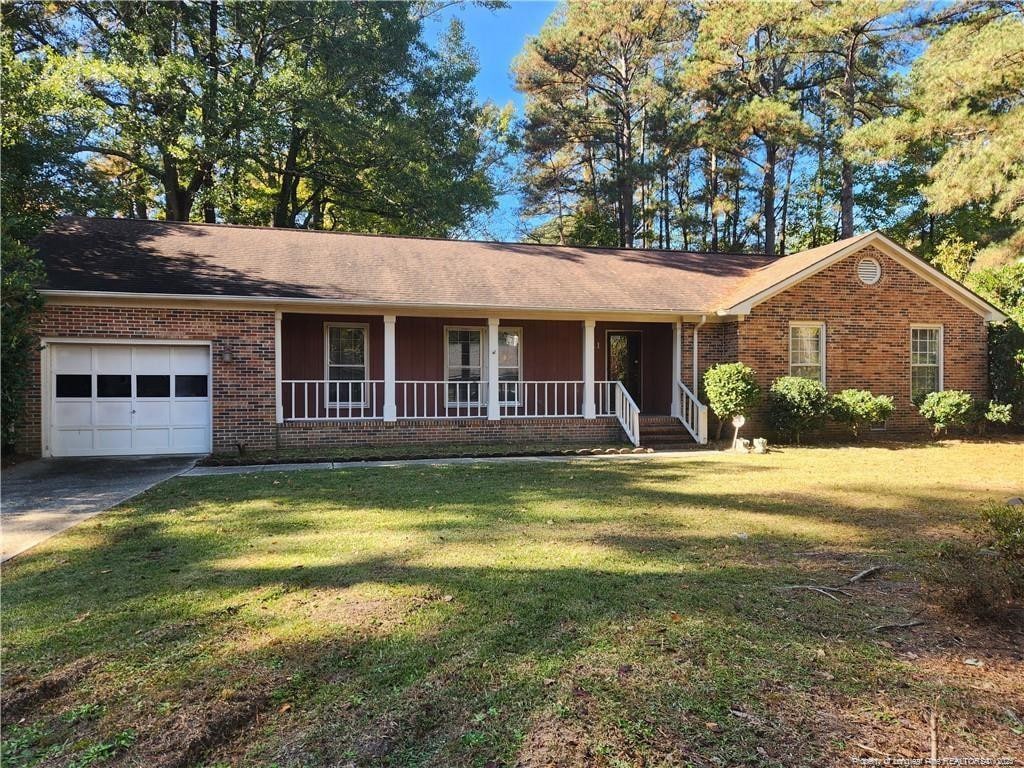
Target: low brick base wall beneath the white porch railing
<point x="453" y="432"/>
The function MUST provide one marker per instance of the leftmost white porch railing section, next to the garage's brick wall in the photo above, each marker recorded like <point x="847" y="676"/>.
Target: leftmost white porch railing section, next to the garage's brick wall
<point x="315" y="400"/>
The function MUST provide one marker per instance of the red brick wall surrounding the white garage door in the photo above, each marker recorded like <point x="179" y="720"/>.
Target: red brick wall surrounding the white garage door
<point x="243" y="389"/>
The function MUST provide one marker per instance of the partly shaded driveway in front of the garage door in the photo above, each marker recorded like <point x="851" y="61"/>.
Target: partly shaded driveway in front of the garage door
<point x="42" y="498"/>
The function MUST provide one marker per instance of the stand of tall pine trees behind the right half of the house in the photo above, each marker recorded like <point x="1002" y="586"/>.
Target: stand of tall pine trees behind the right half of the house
<point x="740" y="125"/>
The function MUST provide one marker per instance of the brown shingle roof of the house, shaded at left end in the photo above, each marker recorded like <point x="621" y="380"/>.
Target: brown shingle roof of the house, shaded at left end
<point x="158" y="258"/>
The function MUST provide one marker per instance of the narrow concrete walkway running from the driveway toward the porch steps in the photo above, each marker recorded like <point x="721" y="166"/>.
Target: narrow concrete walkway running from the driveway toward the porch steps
<point x="209" y="472"/>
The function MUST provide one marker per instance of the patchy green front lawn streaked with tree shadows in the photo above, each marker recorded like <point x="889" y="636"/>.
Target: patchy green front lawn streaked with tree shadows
<point x="588" y="614"/>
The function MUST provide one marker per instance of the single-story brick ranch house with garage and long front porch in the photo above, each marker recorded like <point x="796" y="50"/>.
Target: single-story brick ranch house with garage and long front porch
<point x="161" y="337"/>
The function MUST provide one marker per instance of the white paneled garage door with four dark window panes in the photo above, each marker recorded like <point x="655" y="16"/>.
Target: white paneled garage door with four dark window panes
<point x="120" y="400"/>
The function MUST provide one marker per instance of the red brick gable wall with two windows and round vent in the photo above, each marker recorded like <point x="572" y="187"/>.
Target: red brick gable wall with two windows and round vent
<point x="868" y="333"/>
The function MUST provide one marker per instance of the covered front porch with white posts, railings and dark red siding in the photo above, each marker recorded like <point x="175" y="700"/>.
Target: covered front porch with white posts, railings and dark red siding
<point x="344" y="379"/>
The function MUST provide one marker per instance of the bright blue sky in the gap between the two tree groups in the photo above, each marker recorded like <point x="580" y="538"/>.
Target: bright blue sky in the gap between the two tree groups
<point x="498" y="36"/>
